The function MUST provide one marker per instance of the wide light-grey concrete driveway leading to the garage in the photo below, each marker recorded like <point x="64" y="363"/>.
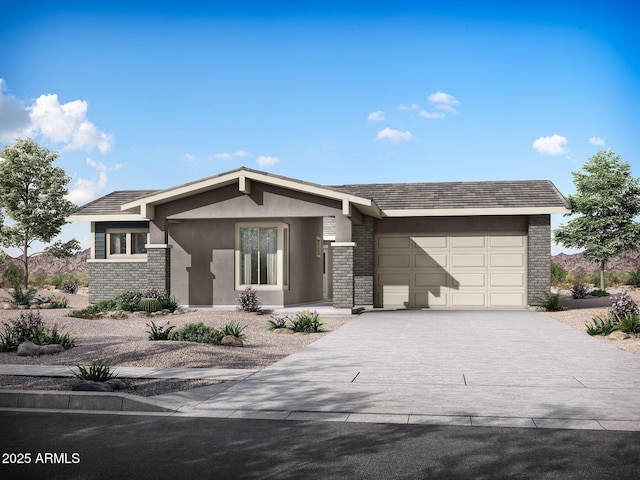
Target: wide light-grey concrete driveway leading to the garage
<point x="498" y="368"/>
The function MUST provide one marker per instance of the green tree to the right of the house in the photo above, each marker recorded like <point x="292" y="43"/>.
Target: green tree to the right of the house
<point x="607" y="201"/>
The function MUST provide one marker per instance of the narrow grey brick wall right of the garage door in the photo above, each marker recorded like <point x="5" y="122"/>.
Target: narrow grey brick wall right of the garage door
<point x="539" y="258"/>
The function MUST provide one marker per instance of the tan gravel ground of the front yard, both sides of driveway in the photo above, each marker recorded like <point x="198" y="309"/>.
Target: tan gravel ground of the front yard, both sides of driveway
<point x="124" y="343"/>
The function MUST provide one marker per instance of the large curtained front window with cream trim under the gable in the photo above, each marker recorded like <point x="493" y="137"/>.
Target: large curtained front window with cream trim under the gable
<point x="262" y="255"/>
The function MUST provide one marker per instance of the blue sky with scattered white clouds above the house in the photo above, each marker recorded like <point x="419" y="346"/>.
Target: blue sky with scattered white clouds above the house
<point x="156" y="94"/>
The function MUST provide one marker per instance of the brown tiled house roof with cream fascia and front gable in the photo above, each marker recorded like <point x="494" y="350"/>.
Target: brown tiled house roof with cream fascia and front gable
<point x="521" y="197"/>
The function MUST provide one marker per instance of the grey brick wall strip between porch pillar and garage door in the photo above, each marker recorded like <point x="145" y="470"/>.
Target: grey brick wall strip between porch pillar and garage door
<point x="363" y="236"/>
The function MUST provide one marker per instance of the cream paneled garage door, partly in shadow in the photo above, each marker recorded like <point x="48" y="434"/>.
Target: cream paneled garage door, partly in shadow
<point x="451" y="271"/>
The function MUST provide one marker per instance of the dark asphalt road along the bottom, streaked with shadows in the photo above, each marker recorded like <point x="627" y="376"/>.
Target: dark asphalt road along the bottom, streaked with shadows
<point x="90" y="446"/>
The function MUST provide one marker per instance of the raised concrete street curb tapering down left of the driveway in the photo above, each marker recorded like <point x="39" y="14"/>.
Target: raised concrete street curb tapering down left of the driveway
<point x="55" y="400"/>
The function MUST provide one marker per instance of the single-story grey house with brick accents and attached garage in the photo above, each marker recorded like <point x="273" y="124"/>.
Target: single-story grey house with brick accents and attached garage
<point x="404" y="245"/>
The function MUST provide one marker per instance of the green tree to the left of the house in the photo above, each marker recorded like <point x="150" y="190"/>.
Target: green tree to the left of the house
<point x="32" y="195"/>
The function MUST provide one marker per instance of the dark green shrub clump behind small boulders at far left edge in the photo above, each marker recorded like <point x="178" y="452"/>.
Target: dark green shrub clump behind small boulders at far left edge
<point x="30" y="327"/>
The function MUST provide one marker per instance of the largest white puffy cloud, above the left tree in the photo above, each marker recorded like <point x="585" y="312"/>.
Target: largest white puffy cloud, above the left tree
<point x="60" y="123"/>
